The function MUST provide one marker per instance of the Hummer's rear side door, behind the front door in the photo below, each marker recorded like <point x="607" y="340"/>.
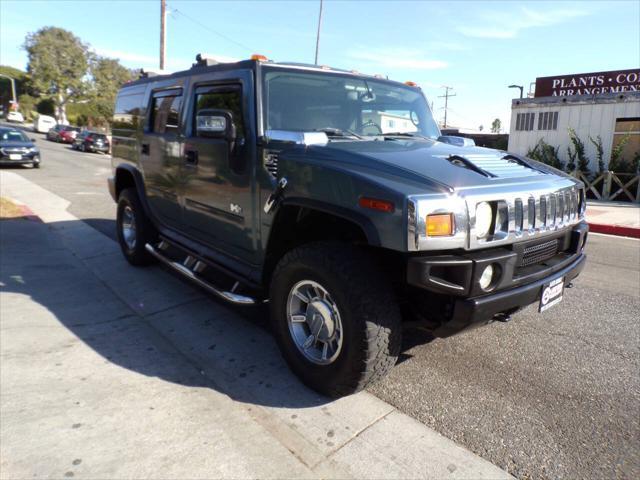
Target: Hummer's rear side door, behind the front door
<point x="160" y="155"/>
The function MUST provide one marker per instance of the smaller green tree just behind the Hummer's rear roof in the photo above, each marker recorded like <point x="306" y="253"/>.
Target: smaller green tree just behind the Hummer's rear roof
<point x="107" y="78"/>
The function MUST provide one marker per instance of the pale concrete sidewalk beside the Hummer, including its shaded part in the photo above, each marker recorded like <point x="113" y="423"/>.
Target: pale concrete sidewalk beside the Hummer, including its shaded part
<point x="108" y="371"/>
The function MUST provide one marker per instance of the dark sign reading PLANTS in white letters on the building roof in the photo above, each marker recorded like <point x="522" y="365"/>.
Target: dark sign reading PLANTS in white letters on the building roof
<point x="588" y="83"/>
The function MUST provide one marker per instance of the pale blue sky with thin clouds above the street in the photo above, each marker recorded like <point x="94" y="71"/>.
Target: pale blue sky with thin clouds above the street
<point x="476" y="47"/>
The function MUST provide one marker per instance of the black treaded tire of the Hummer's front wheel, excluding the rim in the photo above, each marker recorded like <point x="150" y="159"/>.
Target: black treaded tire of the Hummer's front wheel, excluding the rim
<point x="369" y="313"/>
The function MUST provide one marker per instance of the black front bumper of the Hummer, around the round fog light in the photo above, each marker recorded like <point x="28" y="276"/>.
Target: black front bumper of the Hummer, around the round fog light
<point x="455" y="277"/>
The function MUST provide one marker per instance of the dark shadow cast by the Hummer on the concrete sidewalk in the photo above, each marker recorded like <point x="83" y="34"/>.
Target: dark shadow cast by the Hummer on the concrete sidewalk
<point x="189" y="339"/>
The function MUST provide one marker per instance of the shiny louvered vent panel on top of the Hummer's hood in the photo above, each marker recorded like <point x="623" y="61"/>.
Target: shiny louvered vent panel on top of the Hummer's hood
<point x="496" y="166"/>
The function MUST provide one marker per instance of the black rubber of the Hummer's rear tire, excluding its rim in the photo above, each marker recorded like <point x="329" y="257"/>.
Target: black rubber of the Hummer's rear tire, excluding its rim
<point x="145" y="232"/>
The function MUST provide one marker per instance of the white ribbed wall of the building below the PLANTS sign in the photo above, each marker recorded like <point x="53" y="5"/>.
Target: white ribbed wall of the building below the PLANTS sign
<point x="588" y="117"/>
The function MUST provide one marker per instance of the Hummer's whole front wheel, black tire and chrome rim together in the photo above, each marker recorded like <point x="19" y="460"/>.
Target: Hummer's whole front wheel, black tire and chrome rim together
<point x="335" y="317"/>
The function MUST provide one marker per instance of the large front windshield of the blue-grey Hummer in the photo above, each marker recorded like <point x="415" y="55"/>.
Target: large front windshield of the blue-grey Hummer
<point x="311" y="101"/>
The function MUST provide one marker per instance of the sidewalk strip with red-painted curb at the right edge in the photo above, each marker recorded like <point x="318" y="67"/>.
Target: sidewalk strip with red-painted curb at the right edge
<point x="614" y="218"/>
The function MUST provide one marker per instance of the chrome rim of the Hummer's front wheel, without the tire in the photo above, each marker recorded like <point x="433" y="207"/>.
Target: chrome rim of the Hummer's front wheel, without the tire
<point x="314" y="322"/>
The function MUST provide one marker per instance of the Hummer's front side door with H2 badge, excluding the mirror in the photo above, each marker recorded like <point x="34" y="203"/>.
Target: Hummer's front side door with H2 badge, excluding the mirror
<point x="218" y="200"/>
